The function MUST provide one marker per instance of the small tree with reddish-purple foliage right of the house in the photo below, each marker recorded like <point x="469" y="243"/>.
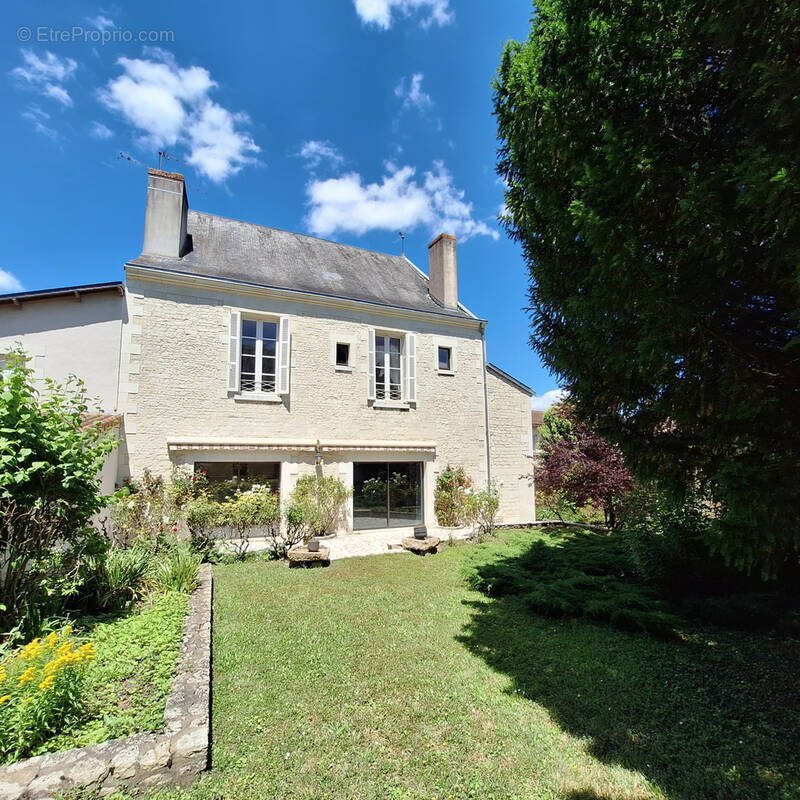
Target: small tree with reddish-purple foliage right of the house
<point x="581" y="466"/>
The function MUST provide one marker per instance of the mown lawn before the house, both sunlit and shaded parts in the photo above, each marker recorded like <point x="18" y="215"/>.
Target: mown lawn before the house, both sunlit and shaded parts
<point x="386" y="677"/>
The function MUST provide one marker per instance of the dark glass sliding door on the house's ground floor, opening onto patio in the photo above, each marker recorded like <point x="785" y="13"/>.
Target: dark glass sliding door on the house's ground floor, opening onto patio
<point x="387" y="495"/>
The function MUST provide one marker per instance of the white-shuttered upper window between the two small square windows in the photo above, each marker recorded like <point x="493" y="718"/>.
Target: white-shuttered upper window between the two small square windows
<point x="392" y="366"/>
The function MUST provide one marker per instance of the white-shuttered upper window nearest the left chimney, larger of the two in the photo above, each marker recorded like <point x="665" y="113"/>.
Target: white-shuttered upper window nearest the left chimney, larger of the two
<point x="258" y="355"/>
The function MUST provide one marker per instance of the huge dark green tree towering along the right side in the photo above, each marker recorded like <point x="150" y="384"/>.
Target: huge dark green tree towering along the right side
<point x="651" y="152"/>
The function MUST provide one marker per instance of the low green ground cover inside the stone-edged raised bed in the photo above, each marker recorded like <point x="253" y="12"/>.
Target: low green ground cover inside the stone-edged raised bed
<point x="128" y="682"/>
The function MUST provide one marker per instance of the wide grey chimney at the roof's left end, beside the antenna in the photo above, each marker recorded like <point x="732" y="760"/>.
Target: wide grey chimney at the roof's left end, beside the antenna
<point x="165" y="217"/>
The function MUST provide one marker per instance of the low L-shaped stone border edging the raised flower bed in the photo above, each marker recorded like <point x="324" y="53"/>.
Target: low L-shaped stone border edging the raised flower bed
<point x="175" y="755"/>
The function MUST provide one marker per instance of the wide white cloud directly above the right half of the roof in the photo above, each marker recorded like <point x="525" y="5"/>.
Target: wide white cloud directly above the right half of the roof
<point x="347" y="204"/>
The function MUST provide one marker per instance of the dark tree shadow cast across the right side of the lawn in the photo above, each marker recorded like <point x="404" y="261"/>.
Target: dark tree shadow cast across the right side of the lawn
<point x="709" y="715"/>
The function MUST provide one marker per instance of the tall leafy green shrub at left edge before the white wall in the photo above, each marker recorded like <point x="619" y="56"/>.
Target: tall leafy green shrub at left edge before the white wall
<point x="49" y="465"/>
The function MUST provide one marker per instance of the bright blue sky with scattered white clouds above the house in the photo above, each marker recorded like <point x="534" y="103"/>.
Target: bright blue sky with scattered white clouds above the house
<point x="346" y="119"/>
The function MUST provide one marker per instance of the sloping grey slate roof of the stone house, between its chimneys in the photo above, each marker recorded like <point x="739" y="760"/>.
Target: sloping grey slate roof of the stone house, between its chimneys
<point x="258" y="255"/>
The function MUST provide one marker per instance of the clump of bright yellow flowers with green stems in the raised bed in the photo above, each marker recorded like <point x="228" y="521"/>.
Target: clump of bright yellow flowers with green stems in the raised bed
<point x="40" y="691"/>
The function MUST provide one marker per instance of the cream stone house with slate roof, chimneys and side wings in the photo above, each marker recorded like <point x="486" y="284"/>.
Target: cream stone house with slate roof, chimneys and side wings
<point x="255" y="353"/>
